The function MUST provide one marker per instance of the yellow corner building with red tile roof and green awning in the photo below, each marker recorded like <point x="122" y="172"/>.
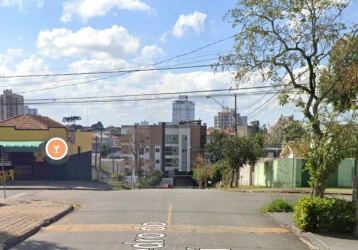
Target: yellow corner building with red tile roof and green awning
<point x="24" y="138"/>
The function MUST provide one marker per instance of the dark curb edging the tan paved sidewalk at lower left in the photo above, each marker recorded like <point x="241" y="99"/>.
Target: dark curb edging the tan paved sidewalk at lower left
<point x="16" y="240"/>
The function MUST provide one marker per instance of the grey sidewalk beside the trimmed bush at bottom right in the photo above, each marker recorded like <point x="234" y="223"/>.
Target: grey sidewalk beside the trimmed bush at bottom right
<point x="320" y="241"/>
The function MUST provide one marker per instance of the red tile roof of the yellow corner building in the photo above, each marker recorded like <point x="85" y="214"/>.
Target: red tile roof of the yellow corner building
<point x="26" y="121"/>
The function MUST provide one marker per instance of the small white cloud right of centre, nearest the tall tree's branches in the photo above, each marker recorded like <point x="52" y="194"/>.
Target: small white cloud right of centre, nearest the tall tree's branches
<point x="195" y="20"/>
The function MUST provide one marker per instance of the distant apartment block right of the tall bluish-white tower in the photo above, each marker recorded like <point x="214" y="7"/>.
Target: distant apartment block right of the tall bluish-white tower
<point x="226" y="120"/>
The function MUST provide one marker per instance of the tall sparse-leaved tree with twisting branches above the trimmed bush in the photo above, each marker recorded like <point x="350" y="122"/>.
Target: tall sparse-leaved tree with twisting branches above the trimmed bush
<point x="284" y="42"/>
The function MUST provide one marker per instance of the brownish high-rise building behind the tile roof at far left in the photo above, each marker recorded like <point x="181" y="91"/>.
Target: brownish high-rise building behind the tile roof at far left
<point x="10" y="105"/>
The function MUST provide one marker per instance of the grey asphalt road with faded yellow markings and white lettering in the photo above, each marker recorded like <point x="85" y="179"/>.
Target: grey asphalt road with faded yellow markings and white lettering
<point x="187" y="219"/>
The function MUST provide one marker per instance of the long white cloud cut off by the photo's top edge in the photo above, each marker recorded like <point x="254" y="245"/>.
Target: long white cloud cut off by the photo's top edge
<point x="86" y="9"/>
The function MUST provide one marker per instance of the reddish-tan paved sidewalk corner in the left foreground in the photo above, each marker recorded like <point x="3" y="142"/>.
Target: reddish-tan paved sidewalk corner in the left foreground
<point x="20" y="219"/>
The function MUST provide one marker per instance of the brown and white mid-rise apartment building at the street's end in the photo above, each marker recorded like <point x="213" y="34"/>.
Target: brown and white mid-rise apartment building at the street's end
<point x="168" y="147"/>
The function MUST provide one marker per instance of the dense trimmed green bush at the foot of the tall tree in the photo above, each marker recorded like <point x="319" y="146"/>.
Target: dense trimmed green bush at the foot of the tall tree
<point x="314" y="214"/>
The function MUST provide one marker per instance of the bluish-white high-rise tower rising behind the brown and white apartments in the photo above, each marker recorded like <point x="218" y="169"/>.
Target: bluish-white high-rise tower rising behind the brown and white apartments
<point x="183" y="110"/>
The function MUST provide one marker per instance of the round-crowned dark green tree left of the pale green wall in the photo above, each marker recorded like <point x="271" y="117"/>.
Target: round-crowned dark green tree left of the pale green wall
<point x="239" y="151"/>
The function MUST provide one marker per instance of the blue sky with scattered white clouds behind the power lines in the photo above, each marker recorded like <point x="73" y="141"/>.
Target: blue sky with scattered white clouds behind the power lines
<point x="101" y="45"/>
